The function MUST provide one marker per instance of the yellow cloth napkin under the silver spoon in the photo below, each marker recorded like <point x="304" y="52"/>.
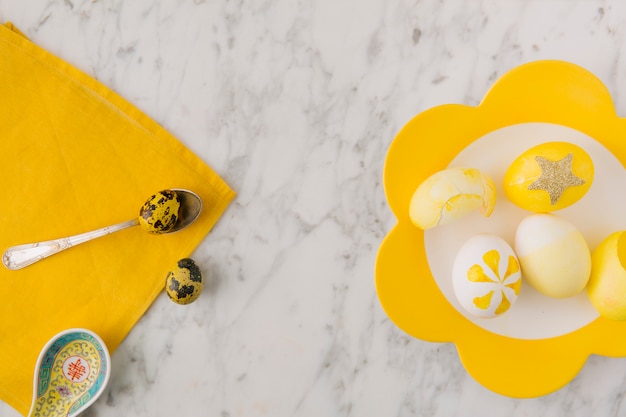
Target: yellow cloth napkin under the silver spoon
<point x="75" y="156"/>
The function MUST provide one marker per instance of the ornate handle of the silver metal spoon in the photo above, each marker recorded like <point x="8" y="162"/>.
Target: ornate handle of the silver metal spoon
<point x="20" y="256"/>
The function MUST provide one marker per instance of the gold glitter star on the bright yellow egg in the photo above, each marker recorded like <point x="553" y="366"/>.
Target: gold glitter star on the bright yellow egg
<point x="556" y="177"/>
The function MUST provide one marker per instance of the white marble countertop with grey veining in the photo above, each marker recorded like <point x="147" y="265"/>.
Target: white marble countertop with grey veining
<point x="294" y="104"/>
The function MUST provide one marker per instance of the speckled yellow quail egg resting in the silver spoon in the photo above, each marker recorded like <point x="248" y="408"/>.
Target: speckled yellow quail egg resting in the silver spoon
<point x="159" y="213"/>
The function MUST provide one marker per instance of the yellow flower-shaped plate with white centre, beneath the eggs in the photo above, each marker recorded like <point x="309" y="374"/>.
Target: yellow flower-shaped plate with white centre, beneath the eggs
<point x="541" y="344"/>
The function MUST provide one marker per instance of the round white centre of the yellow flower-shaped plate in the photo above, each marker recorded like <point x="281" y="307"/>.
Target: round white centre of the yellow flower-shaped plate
<point x="599" y="213"/>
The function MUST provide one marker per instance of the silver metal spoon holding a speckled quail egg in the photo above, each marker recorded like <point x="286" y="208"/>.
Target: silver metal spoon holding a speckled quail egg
<point x="20" y="256"/>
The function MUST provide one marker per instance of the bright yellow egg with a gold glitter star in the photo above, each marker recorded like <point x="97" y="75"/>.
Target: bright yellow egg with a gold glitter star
<point x="549" y="177"/>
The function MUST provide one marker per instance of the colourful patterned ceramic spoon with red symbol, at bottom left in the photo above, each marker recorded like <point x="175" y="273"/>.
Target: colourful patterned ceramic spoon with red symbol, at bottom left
<point x="72" y="370"/>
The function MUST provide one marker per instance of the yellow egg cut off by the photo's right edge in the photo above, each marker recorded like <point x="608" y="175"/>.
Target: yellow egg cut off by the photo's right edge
<point x="607" y="284"/>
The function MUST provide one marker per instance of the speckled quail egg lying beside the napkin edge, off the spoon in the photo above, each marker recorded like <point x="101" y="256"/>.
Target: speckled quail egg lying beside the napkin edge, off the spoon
<point x="184" y="282"/>
